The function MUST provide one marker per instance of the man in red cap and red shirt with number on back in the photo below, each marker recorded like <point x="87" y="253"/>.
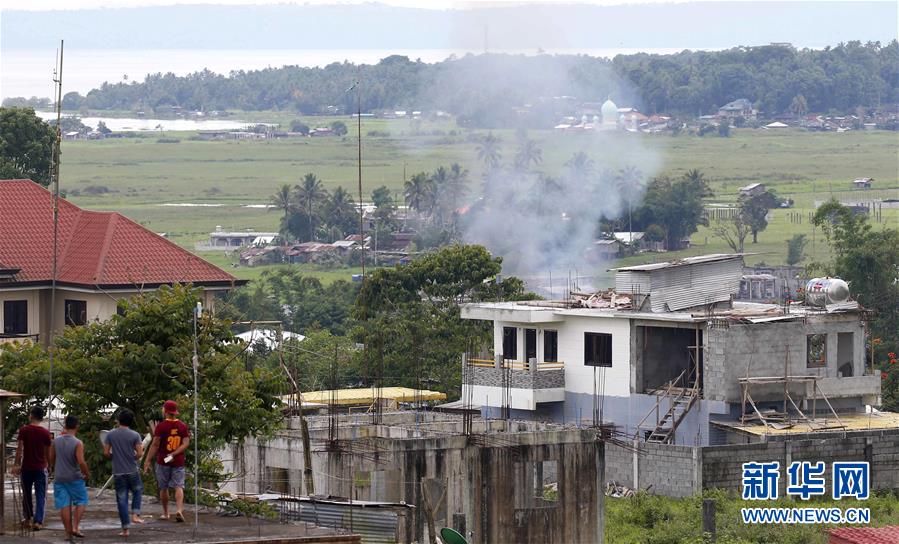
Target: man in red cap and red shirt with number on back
<point x="171" y="438"/>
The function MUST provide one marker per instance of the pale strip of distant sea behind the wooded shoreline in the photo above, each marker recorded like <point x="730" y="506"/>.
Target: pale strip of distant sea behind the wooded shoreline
<point x="29" y="72"/>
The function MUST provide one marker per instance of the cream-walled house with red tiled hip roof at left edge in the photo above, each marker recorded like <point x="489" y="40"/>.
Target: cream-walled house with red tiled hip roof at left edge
<point x="101" y="257"/>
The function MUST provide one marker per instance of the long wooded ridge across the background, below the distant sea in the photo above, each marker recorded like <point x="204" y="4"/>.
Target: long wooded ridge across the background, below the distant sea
<point x="501" y="90"/>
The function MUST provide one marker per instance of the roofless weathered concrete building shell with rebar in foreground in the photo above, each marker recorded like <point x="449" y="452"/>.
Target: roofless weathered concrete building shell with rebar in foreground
<point x="493" y="481"/>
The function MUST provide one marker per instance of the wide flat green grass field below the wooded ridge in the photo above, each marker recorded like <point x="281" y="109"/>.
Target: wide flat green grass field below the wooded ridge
<point x="144" y="177"/>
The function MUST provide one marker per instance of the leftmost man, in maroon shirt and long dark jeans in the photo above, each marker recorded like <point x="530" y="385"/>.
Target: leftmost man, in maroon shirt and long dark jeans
<point x="31" y="463"/>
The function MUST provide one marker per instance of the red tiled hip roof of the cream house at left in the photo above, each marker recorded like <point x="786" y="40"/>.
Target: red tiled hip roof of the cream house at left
<point x="94" y="248"/>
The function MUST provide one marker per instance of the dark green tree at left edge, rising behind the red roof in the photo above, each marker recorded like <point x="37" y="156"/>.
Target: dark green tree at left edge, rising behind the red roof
<point x="26" y="146"/>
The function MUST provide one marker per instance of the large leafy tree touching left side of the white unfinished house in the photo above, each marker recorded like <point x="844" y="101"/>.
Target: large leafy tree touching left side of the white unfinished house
<point x="409" y="316"/>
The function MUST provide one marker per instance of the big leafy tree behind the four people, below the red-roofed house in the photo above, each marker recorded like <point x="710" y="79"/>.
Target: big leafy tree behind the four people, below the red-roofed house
<point x="140" y="358"/>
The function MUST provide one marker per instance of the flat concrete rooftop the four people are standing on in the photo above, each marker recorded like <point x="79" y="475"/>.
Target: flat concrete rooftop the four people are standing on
<point x="101" y="524"/>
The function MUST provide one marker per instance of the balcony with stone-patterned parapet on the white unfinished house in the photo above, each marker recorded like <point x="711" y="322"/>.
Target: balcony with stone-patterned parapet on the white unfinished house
<point x="529" y="383"/>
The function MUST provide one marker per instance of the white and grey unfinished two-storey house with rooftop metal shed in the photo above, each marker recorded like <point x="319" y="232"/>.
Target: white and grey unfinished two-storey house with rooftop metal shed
<point x="668" y="353"/>
